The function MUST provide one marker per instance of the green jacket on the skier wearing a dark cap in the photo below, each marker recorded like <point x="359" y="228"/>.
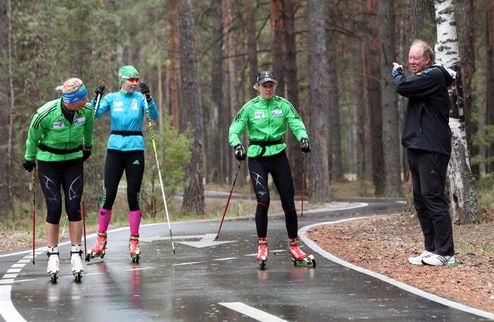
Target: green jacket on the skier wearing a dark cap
<point x="266" y="120"/>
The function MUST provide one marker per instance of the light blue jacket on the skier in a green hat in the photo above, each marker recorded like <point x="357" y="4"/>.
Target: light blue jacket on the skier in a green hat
<point x="127" y="111"/>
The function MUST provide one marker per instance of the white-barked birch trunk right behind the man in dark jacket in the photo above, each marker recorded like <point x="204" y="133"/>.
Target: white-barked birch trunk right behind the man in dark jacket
<point x="463" y="198"/>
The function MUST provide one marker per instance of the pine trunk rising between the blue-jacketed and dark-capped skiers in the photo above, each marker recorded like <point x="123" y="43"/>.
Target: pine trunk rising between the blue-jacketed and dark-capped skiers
<point x="193" y="201"/>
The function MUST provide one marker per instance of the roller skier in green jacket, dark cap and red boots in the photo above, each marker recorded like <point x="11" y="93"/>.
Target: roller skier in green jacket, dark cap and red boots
<point x="266" y="118"/>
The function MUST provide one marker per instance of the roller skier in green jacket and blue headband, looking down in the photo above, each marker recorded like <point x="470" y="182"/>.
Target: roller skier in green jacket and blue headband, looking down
<point x="60" y="138"/>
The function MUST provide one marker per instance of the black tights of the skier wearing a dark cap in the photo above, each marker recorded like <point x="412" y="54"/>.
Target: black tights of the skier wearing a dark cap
<point x="279" y="168"/>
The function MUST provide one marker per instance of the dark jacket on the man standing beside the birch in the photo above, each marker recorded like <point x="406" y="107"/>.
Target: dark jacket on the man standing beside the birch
<point x="426" y="117"/>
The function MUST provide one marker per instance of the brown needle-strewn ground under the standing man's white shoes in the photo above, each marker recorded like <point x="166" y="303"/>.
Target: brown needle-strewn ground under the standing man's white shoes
<point x="383" y="244"/>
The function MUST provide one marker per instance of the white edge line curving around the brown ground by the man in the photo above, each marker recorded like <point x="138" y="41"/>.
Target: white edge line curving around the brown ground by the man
<point x="303" y="236"/>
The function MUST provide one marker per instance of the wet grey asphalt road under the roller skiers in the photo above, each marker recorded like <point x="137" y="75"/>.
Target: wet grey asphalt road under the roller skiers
<point x="208" y="281"/>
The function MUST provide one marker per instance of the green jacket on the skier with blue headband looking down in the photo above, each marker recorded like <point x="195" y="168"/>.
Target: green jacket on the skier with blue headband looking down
<point x="50" y="128"/>
